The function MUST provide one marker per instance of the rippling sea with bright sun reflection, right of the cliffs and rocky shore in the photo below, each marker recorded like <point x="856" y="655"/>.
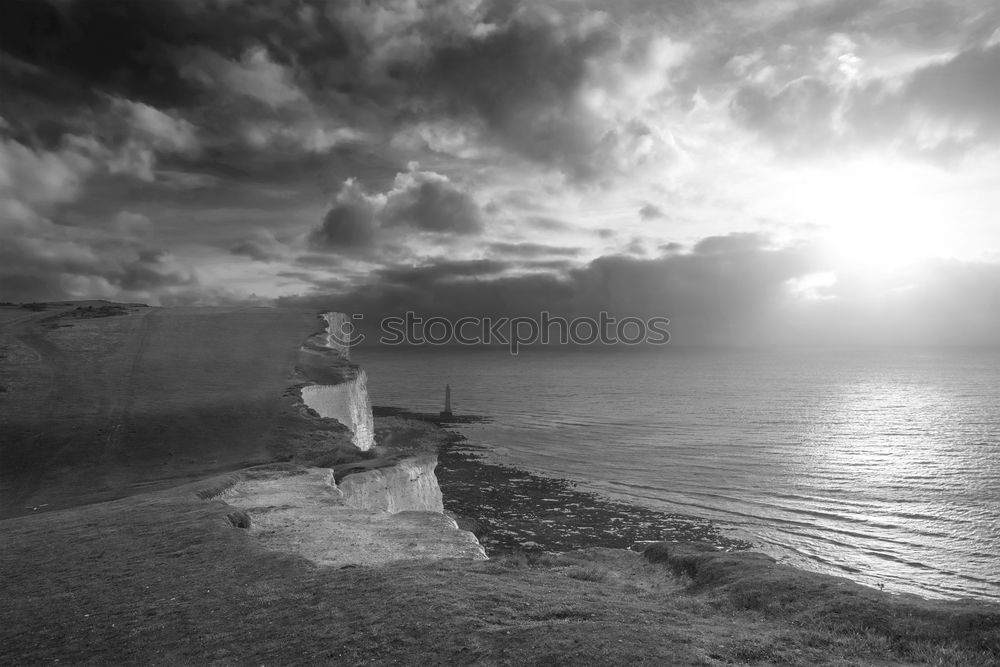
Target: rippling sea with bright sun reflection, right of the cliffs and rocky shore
<point x="879" y="465"/>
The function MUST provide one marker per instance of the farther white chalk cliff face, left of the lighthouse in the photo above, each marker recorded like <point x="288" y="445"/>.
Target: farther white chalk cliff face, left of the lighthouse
<point x="338" y="389"/>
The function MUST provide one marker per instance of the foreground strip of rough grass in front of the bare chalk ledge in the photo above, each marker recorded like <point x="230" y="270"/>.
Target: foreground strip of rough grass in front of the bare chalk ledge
<point x="166" y="578"/>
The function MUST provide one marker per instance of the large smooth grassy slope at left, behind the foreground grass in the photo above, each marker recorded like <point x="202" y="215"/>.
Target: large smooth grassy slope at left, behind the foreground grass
<point x="99" y="408"/>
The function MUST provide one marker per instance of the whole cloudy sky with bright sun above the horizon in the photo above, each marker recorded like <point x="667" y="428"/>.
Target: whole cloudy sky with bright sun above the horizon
<point x="769" y="172"/>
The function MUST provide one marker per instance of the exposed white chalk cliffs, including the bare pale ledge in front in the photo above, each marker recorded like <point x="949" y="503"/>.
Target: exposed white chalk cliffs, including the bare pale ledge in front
<point x="388" y="510"/>
